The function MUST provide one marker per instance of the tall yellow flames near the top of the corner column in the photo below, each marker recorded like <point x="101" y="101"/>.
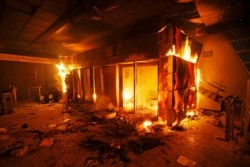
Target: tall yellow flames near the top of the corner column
<point x="185" y="52"/>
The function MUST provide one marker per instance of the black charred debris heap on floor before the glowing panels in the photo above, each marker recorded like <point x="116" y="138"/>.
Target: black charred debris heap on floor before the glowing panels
<point x="119" y="138"/>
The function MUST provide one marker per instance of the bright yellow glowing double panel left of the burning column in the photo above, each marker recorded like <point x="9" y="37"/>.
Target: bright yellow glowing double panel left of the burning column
<point x="139" y="86"/>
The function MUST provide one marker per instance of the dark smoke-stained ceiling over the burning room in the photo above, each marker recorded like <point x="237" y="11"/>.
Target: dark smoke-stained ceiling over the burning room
<point x="50" y="28"/>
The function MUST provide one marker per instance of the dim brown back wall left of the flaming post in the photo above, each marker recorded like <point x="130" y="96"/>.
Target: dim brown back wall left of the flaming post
<point x="25" y="75"/>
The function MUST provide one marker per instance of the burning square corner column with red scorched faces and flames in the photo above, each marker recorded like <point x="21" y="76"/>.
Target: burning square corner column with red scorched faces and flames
<point x="177" y="74"/>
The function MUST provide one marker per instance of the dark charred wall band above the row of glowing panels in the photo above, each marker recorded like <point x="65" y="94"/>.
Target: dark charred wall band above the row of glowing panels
<point x="138" y="48"/>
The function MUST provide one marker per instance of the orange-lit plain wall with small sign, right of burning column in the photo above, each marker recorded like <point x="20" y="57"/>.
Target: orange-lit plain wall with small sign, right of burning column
<point x="219" y="62"/>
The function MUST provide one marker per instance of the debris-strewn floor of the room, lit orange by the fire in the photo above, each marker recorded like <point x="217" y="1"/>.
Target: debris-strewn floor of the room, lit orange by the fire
<point x="111" y="142"/>
